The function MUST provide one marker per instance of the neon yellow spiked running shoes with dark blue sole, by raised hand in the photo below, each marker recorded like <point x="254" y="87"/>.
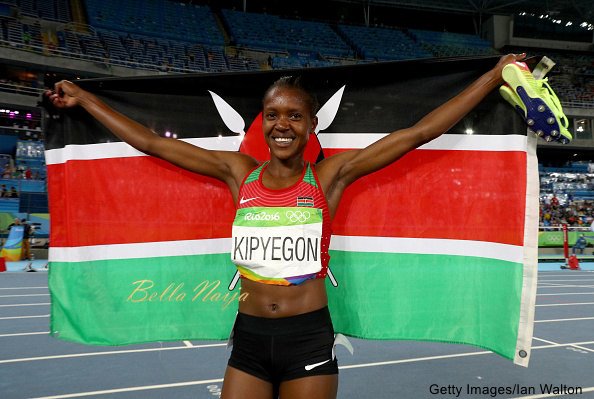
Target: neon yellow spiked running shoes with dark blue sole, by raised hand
<point x="536" y="101"/>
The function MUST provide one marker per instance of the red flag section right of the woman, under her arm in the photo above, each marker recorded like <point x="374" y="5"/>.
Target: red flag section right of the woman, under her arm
<point x="466" y="195"/>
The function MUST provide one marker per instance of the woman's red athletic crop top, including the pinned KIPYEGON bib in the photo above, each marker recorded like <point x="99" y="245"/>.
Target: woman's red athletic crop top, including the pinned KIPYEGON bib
<point x="281" y="237"/>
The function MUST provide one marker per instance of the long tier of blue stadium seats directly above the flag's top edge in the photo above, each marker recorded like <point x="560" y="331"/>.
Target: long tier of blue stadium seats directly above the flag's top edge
<point x="167" y="36"/>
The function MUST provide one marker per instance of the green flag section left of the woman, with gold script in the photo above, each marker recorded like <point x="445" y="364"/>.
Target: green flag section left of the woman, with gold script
<point x="151" y="299"/>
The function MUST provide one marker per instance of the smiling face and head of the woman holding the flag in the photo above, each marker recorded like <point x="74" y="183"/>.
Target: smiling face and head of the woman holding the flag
<point x="287" y="122"/>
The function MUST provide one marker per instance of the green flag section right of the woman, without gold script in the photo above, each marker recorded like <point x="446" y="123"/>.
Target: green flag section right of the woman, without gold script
<point x="445" y="298"/>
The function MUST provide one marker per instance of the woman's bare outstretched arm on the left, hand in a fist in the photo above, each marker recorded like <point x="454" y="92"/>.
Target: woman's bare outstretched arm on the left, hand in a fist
<point x="230" y="167"/>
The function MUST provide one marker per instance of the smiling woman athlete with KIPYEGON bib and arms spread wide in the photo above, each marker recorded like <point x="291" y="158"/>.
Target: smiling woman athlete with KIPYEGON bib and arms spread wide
<point x="274" y="304"/>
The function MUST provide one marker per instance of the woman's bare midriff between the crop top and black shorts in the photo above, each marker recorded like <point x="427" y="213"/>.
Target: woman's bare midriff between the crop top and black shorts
<point x="273" y="301"/>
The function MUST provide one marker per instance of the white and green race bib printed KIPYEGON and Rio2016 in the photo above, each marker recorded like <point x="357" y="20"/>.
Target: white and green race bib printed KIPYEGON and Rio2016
<point x="278" y="242"/>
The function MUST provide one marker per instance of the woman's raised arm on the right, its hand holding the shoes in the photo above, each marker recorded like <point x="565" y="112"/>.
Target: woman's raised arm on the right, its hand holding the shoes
<point x="338" y="171"/>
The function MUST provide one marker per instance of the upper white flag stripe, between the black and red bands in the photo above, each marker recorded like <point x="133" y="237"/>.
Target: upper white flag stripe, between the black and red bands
<point x="327" y="140"/>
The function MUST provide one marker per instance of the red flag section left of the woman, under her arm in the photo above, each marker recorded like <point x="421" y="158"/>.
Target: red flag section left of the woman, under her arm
<point x="103" y="207"/>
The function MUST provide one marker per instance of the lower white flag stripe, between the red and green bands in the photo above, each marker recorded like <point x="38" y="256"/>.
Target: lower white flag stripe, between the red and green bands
<point x="481" y="249"/>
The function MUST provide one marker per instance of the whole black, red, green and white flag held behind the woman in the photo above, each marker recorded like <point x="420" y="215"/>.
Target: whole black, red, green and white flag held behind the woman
<point x="439" y="246"/>
